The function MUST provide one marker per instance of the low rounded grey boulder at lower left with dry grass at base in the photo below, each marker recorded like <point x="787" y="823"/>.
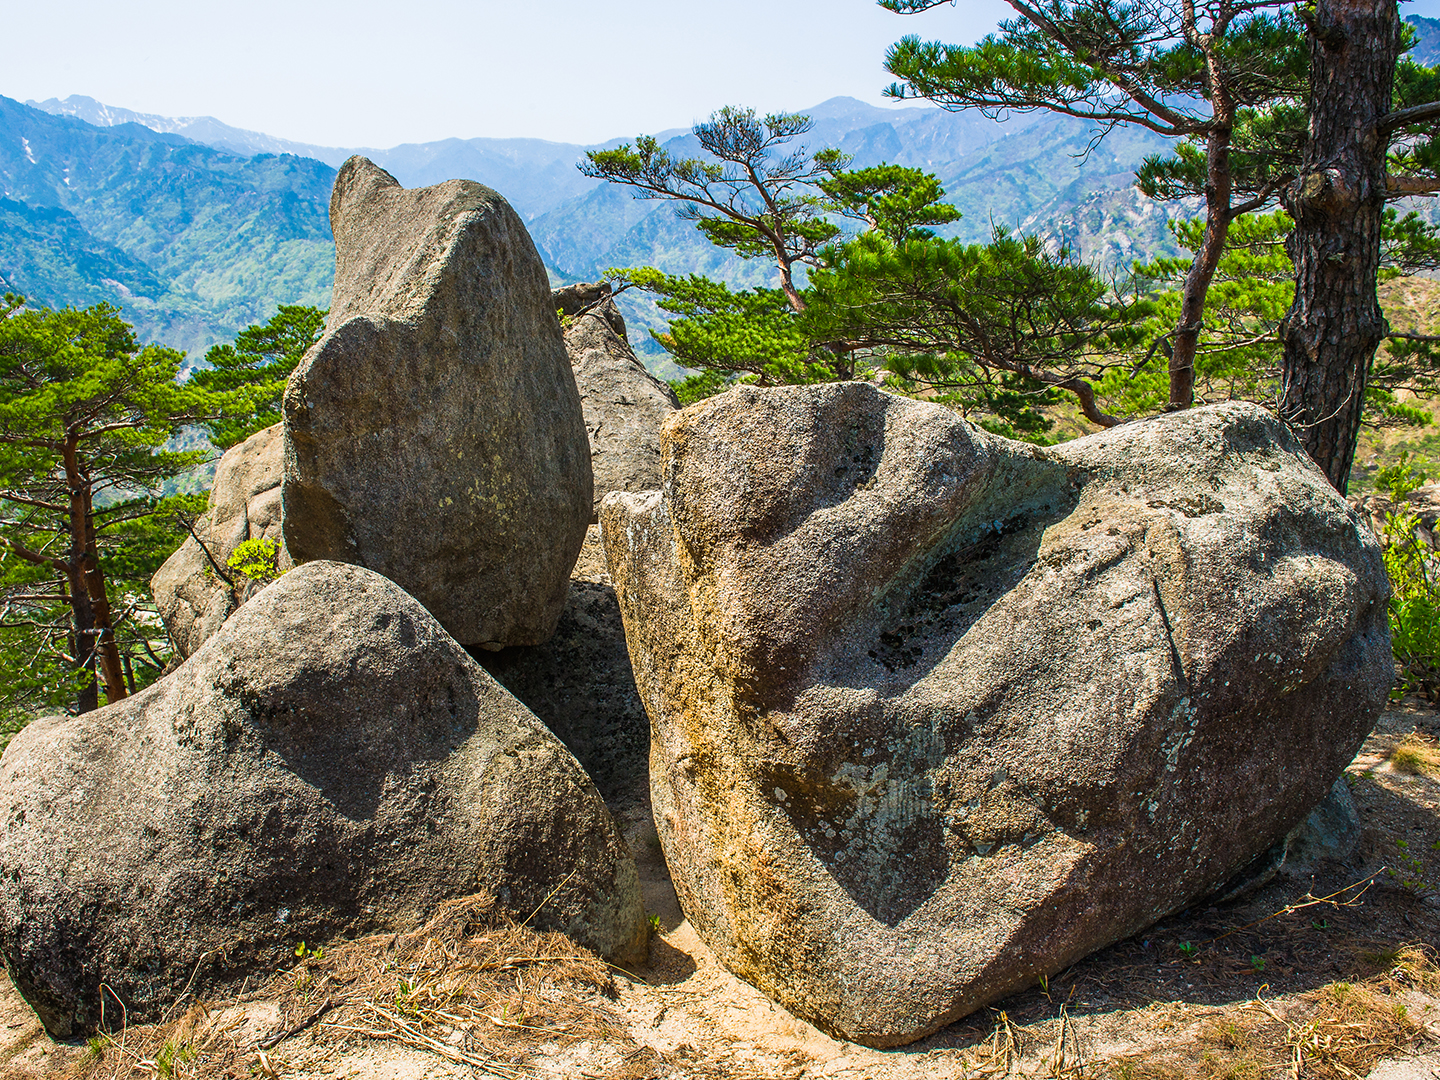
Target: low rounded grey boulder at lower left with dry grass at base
<point x="329" y="762"/>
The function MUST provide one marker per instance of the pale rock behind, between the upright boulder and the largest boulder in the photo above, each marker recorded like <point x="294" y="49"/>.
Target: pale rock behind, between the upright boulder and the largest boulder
<point x="624" y="404"/>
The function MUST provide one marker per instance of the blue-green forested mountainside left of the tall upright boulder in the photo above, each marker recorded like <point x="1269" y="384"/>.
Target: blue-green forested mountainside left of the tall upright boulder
<point x="191" y="243"/>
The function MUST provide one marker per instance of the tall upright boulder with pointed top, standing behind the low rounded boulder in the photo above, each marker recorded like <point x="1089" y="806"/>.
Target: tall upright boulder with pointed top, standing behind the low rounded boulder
<point x="434" y="434"/>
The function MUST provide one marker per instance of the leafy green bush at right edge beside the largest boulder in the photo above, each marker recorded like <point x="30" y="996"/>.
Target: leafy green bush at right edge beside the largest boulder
<point x="1415" y="601"/>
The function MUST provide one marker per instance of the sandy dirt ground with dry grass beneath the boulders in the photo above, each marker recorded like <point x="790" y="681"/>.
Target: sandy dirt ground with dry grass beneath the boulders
<point x="1330" y="974"/>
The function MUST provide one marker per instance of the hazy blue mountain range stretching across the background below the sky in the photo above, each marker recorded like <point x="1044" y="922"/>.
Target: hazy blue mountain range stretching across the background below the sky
<point x="197" y="230"/>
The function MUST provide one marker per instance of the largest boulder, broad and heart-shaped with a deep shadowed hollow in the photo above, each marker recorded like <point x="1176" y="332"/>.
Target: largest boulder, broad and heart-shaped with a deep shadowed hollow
<point x="937" y="714"/>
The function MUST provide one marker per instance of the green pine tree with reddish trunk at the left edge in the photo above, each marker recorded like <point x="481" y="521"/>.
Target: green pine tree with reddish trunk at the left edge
<point x="86" y="418"/>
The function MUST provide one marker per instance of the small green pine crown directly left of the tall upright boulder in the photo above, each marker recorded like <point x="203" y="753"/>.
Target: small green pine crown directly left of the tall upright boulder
<point x="254" y="371"/>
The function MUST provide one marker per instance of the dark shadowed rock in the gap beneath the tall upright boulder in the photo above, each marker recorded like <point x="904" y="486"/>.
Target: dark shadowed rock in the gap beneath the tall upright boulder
<point x="581" y="683"/>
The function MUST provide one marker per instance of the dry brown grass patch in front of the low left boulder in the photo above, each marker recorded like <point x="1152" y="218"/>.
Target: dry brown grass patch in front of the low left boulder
<point x="470" y="987"/>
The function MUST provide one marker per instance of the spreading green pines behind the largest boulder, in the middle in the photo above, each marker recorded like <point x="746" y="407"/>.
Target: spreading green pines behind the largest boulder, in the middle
<point x="981" y="325"/>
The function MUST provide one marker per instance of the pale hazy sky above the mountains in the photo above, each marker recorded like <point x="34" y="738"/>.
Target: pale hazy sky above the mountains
<point x="378" y="74"/>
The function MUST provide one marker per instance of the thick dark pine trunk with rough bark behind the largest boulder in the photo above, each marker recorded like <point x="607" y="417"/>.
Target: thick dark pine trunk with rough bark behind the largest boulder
<point x="1338" y="201"/>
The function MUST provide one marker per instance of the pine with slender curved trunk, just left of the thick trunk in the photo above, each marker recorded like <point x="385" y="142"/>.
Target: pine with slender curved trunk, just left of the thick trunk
<point x="1202" y="71"/>
